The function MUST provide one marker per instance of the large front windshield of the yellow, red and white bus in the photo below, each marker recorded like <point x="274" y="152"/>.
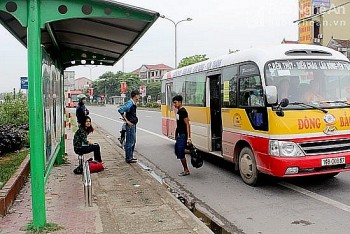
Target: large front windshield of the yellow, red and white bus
<point x="324" y="83"/>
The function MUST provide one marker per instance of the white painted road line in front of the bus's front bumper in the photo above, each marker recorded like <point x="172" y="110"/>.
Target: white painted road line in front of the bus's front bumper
<point x="316" y="196"/>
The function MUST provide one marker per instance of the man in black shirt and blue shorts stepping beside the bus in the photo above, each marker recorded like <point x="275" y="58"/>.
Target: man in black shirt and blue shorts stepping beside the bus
<point x="182" y="133"/>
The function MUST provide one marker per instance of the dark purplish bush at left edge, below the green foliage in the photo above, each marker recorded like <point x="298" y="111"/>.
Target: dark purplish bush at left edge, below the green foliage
<point x="11" y="138"/>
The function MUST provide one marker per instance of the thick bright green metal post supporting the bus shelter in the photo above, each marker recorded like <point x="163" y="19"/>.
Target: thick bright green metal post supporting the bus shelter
<point x="36" y="117"/>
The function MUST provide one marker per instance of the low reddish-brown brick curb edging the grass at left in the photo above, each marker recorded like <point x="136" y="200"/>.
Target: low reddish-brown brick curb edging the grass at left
<point x="11" y="189"/>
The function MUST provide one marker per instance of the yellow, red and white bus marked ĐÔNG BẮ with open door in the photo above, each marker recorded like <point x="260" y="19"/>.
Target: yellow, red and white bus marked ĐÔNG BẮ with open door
<point x="242" y="110"/>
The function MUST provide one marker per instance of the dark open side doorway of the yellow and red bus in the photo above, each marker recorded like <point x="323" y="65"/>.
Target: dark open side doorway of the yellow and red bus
<point x="215" y="111"/>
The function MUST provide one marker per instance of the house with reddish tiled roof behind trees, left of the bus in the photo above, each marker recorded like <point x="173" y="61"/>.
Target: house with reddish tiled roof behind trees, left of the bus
<point x="152" y="73"/>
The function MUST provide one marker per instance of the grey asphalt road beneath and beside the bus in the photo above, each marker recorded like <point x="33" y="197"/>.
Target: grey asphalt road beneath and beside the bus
<point x="286" y="206"/>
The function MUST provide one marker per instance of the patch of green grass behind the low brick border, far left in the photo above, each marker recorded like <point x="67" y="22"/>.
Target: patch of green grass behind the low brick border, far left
<point x="9" y="163"/>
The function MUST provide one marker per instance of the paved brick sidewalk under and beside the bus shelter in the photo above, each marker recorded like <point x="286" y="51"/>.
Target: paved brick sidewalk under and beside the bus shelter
<point x="126" y="199"/>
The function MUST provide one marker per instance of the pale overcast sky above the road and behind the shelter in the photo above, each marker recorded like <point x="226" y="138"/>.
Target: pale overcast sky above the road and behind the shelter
<point x="216" y="28"/>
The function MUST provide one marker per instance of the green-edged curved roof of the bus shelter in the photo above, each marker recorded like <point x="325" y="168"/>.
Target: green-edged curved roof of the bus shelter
<point x="81" y="32"/>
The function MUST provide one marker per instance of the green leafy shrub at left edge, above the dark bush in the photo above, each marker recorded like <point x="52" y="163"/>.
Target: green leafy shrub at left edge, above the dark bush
<point x="14" y="110"/>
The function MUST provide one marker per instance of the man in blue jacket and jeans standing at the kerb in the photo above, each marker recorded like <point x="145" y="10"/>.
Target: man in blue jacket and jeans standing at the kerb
<point x="128" y="112"/>
